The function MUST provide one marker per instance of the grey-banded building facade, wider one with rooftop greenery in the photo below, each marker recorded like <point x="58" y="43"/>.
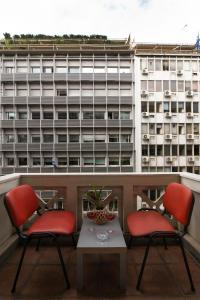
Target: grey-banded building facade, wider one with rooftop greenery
<point x="67" y="109"/>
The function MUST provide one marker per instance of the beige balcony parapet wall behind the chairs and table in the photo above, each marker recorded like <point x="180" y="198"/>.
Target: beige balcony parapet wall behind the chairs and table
<point x="126" y="187"/>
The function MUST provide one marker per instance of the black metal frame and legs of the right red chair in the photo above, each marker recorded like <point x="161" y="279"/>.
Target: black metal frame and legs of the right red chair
<point x="177" y="236"/>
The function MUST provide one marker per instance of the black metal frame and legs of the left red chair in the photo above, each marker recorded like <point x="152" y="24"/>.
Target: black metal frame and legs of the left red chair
<point x="25" y="239"/>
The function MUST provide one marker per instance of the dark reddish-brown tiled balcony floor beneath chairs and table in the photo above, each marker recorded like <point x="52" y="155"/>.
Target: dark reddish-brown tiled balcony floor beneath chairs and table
<point x="42" y="278"/>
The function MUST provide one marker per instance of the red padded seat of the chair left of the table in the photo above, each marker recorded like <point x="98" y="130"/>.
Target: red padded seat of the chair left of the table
<point x="57" y="222"/>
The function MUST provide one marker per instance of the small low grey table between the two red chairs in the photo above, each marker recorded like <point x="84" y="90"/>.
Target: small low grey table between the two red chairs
<point x="101" y="239"/>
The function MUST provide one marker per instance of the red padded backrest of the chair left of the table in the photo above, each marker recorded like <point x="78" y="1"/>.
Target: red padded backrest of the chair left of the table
<point x="21" y="202"/>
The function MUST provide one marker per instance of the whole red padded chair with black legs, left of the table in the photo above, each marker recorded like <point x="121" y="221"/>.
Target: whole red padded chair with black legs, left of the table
<point x="21" y="203"/>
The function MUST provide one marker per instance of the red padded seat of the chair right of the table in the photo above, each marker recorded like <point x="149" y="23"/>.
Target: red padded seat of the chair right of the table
<point x="143" y="223"/>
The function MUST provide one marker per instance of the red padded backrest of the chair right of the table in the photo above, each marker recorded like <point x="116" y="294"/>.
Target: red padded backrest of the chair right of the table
<point x="178" y="201"/>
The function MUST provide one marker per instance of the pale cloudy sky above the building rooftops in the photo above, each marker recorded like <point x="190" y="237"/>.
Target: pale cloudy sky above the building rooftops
<point x="157" y="21"/>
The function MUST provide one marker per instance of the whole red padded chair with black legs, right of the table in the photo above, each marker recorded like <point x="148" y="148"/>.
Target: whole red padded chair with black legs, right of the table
<point x="178" y="203"/>
